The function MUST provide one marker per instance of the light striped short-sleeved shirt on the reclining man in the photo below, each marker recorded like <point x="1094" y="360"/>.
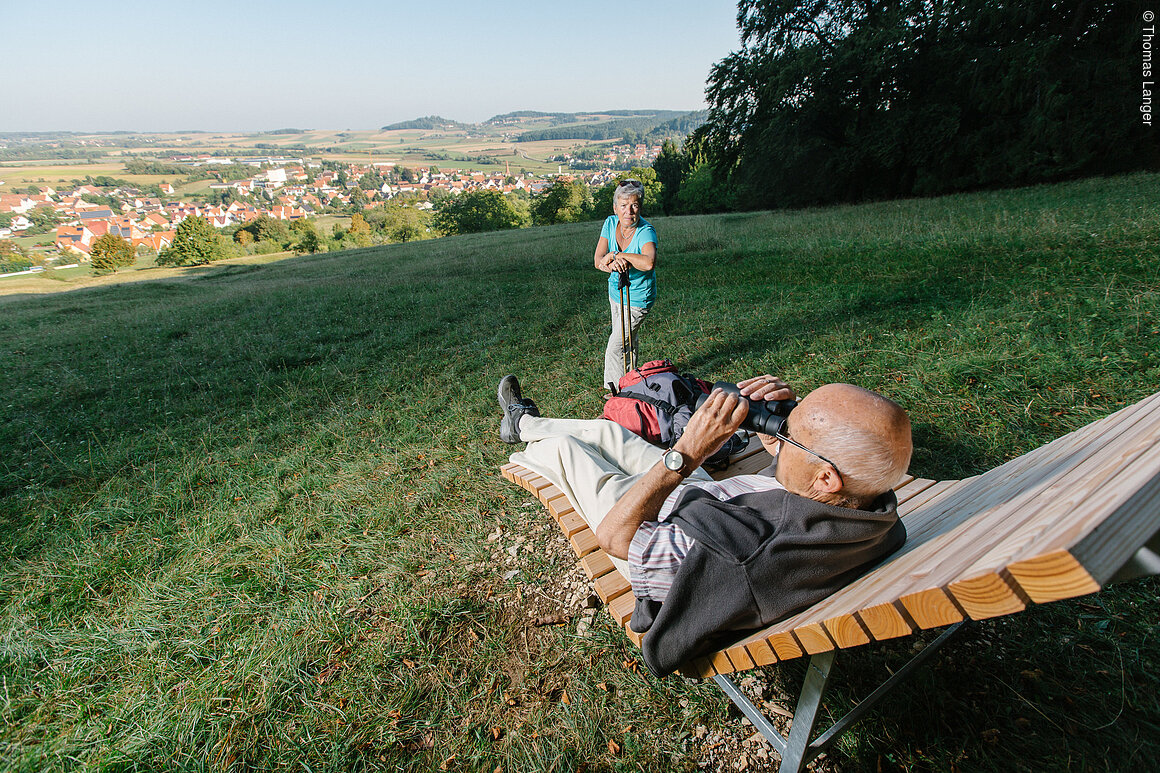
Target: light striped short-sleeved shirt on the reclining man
<point x="658" y="547"/>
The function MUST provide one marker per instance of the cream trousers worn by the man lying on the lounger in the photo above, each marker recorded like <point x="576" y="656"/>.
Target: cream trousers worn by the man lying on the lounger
<point x="593" y="461"/>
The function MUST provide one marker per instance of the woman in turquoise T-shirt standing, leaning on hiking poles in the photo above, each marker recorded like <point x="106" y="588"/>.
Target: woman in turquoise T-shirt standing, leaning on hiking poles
<point x="628" y="243"/>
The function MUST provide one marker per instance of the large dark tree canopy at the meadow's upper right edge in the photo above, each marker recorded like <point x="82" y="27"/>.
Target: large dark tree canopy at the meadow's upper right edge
<point x="846" y="100"/>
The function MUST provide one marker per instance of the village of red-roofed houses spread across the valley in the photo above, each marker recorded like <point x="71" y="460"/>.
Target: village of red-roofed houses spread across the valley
<point x="280" y="187"/>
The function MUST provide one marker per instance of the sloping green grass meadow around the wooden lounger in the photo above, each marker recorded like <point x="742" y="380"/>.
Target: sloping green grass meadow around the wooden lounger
<point x="245" y="511"/>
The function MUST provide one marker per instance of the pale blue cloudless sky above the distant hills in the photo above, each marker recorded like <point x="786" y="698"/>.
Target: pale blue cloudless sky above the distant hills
<point x="349" y="64"/>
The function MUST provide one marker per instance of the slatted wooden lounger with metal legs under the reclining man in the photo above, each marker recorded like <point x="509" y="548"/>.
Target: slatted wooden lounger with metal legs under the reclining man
<point x="1060" y="522"/>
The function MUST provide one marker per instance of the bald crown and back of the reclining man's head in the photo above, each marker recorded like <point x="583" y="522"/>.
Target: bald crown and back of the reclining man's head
<point x="867" y="436"/>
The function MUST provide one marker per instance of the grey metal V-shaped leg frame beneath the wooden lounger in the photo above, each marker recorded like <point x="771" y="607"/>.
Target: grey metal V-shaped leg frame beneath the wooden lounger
<point x="797" y="750"/>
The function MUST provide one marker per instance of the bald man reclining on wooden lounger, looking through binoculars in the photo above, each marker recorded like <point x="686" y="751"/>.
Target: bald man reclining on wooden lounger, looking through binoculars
<point x="713" y="561"/>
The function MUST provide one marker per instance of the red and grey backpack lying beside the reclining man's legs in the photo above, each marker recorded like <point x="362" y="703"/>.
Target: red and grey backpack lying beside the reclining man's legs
<point x="656" y="402"/>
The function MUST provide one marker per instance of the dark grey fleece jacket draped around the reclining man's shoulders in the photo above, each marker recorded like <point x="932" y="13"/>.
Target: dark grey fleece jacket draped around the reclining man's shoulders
<point x="758" y="559"/>
